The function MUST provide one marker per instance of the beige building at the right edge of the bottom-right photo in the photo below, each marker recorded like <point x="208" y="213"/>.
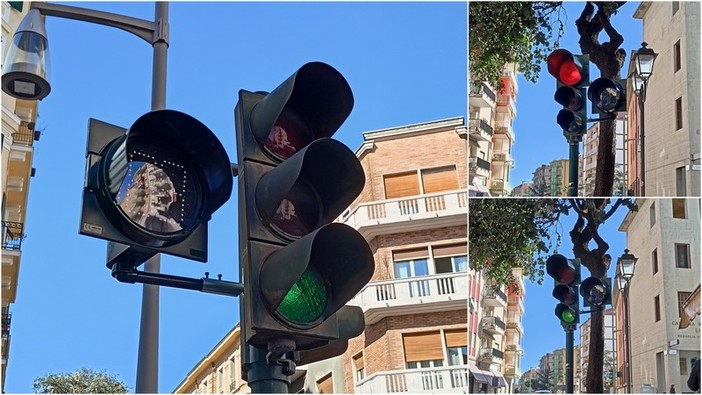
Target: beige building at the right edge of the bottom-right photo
<point x="664" y="234"/>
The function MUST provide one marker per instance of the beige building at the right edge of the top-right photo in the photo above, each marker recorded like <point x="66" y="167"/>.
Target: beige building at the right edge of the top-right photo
<point x="672" y="108"/>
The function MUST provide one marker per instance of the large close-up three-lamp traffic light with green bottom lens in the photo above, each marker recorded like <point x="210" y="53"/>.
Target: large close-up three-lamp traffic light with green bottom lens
<point x="299" y="269"/>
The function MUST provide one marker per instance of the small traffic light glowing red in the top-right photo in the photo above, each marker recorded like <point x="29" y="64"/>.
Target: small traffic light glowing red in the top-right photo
<point x="572" y="73"/>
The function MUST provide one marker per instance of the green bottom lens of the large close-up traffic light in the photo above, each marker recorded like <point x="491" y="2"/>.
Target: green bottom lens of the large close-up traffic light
<point x="306" y="300"/>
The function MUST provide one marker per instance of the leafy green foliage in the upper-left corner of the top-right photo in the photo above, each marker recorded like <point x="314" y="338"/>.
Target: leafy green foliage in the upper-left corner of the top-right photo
<point x="525" y="37"/>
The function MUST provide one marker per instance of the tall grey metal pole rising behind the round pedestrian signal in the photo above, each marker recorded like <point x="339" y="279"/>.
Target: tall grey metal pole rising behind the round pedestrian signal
<point x="147" y="359"/>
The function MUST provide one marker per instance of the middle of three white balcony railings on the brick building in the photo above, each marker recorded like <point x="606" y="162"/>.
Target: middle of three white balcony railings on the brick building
<point x="412" y="291"/>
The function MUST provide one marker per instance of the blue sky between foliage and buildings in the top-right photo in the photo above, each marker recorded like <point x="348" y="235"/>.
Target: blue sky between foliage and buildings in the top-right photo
<point x="535" y="127"/>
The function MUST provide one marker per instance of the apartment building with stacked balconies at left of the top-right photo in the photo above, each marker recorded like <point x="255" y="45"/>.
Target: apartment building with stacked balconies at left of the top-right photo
<point x="492" y="115"/>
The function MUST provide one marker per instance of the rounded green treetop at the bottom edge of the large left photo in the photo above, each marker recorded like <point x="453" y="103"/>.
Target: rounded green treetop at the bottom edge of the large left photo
<point x="82" y="381"/>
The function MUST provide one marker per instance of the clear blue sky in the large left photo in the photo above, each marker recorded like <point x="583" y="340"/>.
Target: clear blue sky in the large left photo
<point x="405" y="62"/>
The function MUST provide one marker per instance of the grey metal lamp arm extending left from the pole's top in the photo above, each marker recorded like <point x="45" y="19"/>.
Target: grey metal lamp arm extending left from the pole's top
<point x="151" y="32"/>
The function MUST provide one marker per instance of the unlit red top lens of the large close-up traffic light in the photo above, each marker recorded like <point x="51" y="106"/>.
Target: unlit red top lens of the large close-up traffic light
<point x="288" y="135"/>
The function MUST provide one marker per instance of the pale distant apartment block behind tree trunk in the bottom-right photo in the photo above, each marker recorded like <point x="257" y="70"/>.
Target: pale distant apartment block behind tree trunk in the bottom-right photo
<point x="610" y="352"/>
